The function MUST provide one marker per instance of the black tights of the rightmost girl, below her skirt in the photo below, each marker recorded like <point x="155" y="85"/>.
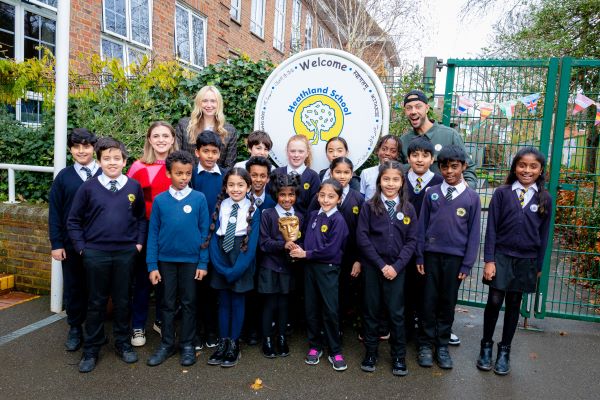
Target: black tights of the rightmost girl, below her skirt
<point x="511" y="314"/>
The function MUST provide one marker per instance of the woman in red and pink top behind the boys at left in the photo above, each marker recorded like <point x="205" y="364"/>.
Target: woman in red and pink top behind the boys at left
<point x="150" y="172"/>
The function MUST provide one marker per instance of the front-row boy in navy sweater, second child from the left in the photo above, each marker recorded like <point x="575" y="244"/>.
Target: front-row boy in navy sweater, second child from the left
<point x="107" y="226"/>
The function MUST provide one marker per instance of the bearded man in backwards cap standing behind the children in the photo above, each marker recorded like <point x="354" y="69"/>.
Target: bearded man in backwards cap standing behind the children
<point x="415" y="108"/>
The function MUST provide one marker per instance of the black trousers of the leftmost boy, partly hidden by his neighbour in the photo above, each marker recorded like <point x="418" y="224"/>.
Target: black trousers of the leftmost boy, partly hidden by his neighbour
<point x="75" y="288"/>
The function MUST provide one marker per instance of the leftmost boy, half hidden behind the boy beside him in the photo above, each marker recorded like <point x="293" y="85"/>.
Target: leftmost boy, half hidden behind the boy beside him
<point x="81" y="145"/>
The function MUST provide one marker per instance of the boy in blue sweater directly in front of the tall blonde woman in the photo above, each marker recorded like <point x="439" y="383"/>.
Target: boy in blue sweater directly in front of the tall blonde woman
<point x="207" y="179"/>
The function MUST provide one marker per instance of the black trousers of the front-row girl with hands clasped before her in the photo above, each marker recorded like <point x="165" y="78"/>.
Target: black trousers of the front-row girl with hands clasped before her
<point x="379" y="292"/>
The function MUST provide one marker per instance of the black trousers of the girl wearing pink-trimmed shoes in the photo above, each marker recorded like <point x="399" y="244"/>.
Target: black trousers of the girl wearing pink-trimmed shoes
<point x="321" y="304"/>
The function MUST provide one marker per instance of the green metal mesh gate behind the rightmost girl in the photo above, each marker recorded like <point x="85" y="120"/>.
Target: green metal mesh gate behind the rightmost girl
<point x="571" y="274"/>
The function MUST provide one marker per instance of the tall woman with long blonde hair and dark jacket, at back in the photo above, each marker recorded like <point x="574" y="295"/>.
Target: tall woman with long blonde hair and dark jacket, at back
<point x="208" y="115"/>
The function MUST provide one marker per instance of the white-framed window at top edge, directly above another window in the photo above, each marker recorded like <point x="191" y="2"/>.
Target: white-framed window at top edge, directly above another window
<point x="128" y="20"/>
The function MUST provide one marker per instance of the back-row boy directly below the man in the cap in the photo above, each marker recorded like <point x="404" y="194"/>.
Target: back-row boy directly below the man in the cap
<point x="418" y="179"/>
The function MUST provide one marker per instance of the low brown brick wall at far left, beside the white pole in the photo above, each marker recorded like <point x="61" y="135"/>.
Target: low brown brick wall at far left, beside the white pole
<point x="24" y="246"/>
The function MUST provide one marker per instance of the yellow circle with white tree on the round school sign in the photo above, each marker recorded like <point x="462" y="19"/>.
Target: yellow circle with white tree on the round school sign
<point x="318" y="118"/>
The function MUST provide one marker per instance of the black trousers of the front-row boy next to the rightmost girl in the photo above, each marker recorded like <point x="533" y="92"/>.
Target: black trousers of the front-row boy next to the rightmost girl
<point x="439" y="298"/>
